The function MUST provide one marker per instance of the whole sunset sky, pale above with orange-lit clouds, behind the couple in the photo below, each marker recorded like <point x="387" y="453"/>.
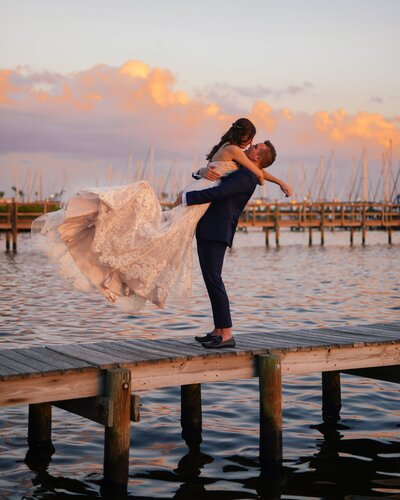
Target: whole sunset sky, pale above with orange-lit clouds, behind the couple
<point x="88" y="88"/>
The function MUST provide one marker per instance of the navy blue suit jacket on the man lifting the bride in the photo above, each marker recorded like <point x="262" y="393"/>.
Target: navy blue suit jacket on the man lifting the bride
<point x="227" y="203"/>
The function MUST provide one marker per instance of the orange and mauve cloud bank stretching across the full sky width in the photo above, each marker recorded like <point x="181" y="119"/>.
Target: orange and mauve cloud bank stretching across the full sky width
<point x="105" y="112"/>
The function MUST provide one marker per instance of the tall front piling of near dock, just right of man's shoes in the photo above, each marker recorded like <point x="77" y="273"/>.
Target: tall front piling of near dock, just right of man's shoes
<point x="270" y="381"/>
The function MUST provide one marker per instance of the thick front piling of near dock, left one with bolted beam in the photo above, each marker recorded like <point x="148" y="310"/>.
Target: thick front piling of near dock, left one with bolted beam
<point x="117" y="437"/>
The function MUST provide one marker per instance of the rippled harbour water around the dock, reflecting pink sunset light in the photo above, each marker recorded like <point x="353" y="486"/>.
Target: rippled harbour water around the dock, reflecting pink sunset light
<point x="270" y="289"/>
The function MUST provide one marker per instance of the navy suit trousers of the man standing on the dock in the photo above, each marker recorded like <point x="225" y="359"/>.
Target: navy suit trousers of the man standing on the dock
<point x="211" y="257"/>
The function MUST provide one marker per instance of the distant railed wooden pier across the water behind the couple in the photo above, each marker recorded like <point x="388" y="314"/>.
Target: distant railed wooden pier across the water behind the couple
<point x="320" y="216"/>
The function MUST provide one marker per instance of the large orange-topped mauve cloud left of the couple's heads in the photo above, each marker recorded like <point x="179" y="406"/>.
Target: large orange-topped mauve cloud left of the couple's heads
<point x="103" y="111"/>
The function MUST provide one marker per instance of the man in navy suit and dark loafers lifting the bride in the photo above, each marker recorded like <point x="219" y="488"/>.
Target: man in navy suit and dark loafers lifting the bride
<point x="215" y="232"/>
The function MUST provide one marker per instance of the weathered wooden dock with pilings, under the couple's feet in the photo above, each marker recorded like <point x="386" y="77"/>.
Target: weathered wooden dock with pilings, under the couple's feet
<point x="102" y="381"/>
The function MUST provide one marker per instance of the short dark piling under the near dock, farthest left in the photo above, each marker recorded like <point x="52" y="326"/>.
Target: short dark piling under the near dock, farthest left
<point x="39" y="426"/>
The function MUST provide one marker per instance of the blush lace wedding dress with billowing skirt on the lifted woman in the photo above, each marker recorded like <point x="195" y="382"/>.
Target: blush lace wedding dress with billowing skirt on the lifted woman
<point x="120" y="242"/>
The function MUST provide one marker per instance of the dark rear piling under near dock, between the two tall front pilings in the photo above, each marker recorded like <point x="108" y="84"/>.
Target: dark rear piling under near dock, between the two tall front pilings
<point x="191" y="417"/>
